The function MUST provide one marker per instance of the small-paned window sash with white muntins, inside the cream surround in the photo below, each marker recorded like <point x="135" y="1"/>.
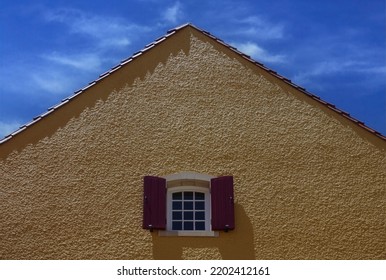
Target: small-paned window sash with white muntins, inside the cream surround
<point x="188" y="210"/>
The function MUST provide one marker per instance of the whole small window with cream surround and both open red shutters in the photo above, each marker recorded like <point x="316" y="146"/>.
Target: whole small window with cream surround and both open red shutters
<point x="188" y="204"/>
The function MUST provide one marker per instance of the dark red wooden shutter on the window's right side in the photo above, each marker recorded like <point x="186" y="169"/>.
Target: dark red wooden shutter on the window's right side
<point x="223" y="217"/>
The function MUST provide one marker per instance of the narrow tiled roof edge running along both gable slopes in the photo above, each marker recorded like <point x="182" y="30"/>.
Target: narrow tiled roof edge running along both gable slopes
<point x="159" y="40"/>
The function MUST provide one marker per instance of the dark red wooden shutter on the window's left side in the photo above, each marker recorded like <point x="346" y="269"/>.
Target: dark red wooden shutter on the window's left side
<point x="154" y="203"/>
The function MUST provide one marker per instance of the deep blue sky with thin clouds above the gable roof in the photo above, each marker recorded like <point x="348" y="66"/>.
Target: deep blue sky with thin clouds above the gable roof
<point x="336" y="49"/>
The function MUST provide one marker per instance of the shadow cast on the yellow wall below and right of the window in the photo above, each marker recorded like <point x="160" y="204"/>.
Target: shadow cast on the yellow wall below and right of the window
<point x="236" y="244"/>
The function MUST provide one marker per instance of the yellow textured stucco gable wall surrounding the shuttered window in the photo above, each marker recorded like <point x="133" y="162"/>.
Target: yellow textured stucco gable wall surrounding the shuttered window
<point x="309" y="184"/>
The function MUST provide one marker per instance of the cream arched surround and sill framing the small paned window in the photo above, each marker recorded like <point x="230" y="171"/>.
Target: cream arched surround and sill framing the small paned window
<point x="188" y="181"/>
